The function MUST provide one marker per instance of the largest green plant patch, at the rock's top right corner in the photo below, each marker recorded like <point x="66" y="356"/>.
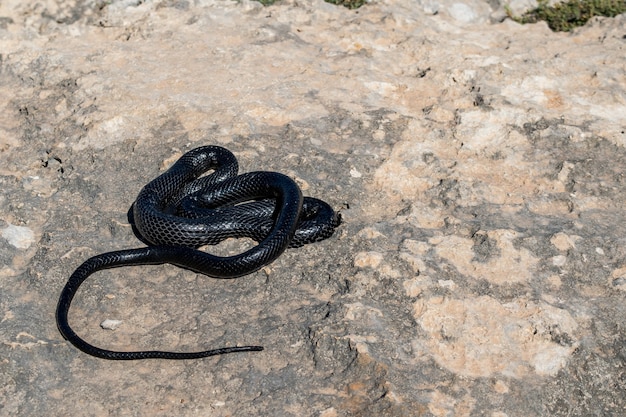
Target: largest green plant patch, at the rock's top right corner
<point x="563" y="17"/>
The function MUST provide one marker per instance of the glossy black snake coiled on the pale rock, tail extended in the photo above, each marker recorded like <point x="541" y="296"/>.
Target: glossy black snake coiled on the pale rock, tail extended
<point x="180" y="211"/>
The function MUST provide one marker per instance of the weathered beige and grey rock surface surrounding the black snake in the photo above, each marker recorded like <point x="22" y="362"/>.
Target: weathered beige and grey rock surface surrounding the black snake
<point x="479" y="166"/>
